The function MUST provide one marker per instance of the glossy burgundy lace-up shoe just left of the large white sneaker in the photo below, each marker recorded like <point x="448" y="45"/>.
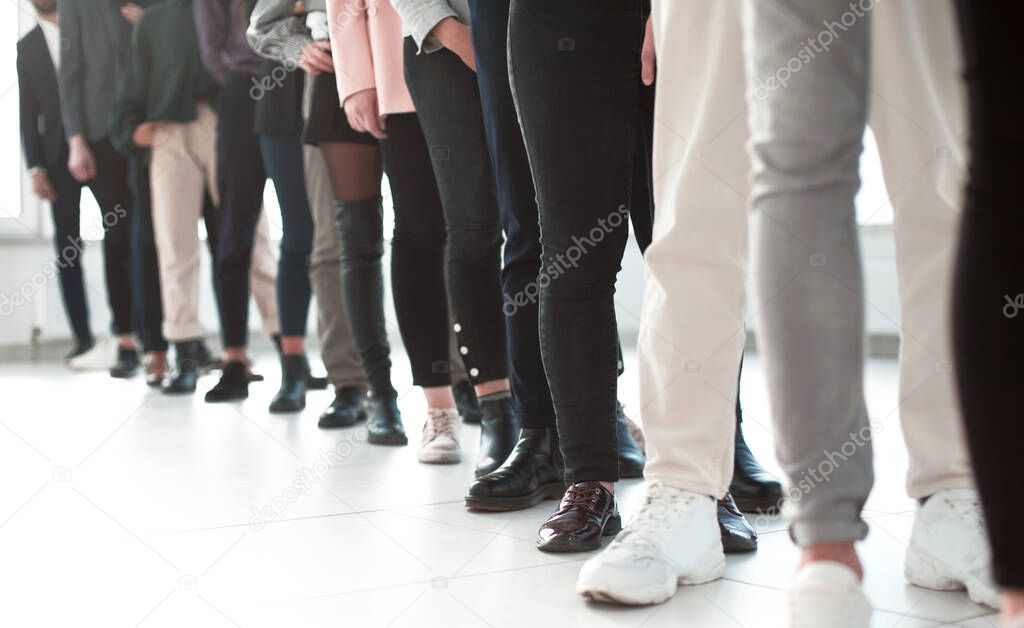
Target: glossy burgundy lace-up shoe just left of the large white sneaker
<point x="587" y="513"/>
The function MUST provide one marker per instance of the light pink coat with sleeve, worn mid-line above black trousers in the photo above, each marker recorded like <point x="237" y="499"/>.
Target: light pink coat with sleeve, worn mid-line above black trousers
<point x="367" y="47"/>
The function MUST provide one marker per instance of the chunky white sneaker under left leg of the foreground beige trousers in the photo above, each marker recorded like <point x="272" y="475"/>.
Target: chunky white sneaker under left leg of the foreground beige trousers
<point x="673" y="539"/>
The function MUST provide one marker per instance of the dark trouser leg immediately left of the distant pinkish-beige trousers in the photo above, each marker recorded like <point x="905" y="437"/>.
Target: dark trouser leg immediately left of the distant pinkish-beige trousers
<point x="146" y="279"/>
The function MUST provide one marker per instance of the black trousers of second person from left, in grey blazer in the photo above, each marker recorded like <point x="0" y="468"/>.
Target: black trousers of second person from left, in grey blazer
<point x="110" y="188"/>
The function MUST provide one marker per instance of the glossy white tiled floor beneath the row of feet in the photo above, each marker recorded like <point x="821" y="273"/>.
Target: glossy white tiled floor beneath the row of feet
<point x="122" y="508"/>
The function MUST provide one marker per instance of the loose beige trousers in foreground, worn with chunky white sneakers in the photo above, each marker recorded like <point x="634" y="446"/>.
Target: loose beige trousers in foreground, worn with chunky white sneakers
<point x="695" y="307"/>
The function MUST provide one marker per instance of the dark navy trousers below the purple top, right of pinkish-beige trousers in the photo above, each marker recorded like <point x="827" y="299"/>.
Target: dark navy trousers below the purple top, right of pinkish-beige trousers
<point x="241" y="180"/>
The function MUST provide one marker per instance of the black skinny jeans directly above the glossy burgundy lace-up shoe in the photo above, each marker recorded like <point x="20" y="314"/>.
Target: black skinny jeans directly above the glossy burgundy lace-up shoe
<point x="575" y="70"/>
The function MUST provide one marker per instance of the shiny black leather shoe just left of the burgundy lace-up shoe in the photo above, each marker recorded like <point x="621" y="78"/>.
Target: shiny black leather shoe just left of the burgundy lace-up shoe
<point x="530" y="476"/>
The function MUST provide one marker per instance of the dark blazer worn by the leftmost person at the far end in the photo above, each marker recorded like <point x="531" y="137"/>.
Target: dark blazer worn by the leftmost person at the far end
<point x="42" y="129"/>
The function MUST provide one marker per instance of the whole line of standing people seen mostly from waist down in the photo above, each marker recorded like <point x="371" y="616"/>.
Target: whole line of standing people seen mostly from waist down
<point x="521" y="140"/>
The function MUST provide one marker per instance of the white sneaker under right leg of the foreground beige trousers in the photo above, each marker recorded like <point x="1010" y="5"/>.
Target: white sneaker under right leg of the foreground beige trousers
<point x="950" y="549"/>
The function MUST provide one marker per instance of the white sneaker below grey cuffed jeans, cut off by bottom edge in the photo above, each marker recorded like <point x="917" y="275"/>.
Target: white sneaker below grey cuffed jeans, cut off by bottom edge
<point x="828" y="594"/>
